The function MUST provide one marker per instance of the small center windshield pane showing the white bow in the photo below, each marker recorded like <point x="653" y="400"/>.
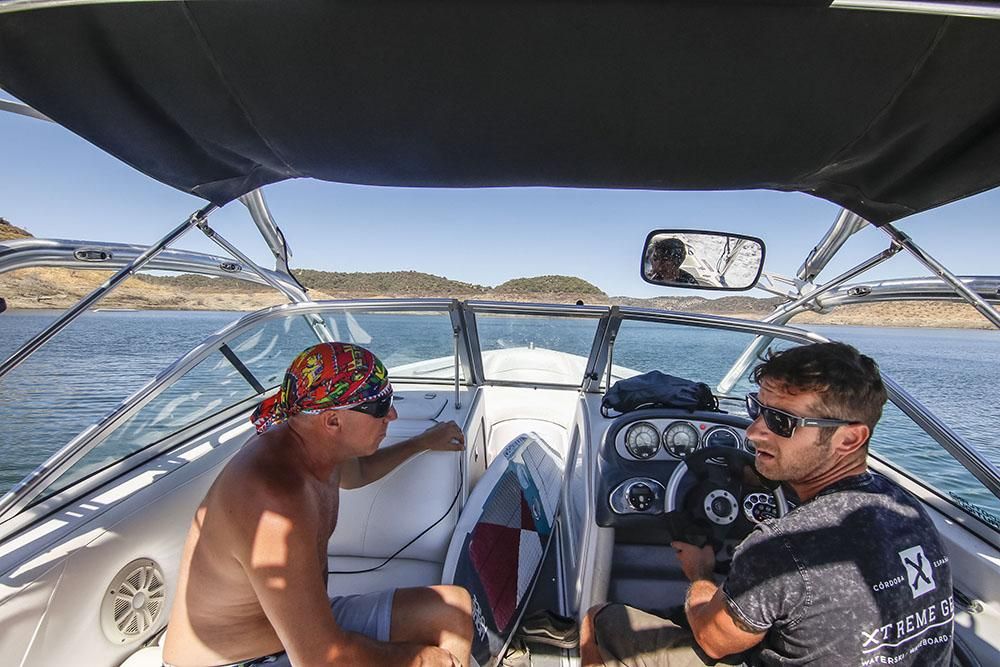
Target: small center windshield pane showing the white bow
<point x="537" y="348"/>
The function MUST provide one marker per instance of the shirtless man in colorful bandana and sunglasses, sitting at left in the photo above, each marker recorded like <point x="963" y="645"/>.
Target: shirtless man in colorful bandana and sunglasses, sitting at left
<point x="252" y="585"/>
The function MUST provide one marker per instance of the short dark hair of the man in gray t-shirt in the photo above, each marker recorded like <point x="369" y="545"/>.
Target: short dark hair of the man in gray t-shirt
<point x="848" y="383"/>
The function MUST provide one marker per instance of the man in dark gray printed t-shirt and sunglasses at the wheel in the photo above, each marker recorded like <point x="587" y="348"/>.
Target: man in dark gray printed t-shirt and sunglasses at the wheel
<point x="855" y="575"/>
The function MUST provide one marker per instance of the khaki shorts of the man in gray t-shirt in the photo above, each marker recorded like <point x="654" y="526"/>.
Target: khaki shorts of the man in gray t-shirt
<point x="629" y="637"/>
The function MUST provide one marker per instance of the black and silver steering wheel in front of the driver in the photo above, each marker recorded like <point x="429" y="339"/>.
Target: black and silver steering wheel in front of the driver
<point x="729" y="497"/>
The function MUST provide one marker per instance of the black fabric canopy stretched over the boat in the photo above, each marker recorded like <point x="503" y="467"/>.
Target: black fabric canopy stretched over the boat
<point x="886" y="114"/>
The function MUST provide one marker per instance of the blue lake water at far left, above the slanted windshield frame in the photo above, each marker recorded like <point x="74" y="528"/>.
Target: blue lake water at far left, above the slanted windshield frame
<point x="82" y="374"/>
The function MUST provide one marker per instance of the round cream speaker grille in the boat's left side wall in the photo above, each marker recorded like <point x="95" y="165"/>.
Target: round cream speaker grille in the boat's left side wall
<point x="134" y="602"/>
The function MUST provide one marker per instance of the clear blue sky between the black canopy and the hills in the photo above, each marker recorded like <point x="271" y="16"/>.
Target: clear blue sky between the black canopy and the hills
<point x="58" y="186"/>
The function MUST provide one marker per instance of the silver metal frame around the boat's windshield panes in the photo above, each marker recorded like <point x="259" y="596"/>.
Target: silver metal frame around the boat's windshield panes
<point x="468" y="354"/>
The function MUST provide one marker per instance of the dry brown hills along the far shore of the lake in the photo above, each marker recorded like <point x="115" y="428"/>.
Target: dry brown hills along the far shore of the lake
<point x="44" y="287"/>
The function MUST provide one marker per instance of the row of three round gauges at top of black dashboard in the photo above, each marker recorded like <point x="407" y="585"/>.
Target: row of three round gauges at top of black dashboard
<point x="675" y="439"/>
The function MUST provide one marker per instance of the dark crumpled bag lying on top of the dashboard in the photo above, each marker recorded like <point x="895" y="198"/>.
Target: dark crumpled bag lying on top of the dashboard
<point x="658" y="390"/>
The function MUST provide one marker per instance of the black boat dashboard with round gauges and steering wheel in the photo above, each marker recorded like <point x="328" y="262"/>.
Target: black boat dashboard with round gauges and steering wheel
<point x="656" y="466"/>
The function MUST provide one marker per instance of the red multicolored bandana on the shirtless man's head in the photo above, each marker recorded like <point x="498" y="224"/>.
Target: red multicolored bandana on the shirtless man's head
<point x="327" y="376"/>
